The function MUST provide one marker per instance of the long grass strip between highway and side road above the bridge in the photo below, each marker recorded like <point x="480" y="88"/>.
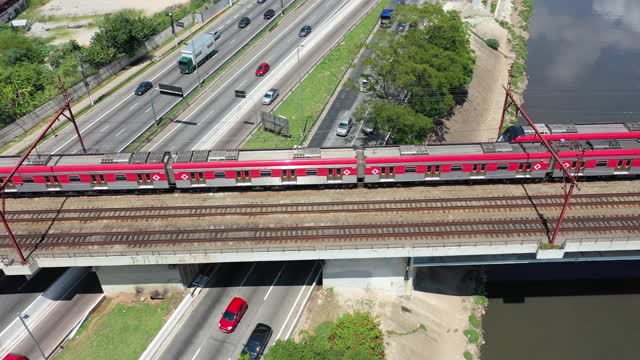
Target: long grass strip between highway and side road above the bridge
<point x="317" y="87"/>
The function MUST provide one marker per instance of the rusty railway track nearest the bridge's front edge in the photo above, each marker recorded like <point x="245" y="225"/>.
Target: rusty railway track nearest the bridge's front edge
<point x="339" y="233"/>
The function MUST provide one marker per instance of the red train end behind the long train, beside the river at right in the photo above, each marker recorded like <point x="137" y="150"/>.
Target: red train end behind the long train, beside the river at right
<point x="569" y="132"/>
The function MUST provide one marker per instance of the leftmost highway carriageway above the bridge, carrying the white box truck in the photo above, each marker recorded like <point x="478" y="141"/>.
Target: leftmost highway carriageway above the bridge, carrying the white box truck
<point x="115" y="122"/>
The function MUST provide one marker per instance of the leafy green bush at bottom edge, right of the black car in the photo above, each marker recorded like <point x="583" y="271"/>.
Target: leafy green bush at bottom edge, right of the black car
<point x="353" y="336"/>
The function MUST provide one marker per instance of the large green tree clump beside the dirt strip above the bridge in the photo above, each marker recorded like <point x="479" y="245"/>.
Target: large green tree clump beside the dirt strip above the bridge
<point x="418" y="75"/>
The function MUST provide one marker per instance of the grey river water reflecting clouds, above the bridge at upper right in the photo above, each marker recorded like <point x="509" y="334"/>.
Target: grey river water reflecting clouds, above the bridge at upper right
<point x="584" y="61"/>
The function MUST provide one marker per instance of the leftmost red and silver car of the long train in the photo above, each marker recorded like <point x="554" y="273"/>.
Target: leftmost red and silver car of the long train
<point x="87" y="172"/>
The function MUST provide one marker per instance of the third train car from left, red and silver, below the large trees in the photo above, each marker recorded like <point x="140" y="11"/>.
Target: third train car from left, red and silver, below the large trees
<point x="456" y="162"/>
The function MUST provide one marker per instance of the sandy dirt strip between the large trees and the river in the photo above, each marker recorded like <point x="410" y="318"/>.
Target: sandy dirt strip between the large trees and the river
<point x="478" y="118"/>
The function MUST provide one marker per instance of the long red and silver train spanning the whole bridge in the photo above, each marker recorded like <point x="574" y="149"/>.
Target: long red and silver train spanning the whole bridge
<point x="298" y="167"/>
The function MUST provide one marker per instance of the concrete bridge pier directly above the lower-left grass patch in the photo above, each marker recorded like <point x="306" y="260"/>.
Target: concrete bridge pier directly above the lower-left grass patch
<point x="145" y="278"/>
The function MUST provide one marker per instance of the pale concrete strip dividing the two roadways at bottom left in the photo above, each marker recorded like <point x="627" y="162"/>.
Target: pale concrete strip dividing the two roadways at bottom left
<point x="38" y="309"/>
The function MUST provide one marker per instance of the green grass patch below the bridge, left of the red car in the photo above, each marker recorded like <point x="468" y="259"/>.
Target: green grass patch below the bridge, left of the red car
<point x="119" y="332"/>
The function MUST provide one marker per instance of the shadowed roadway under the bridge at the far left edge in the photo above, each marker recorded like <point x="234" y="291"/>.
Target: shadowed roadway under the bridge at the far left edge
<point x="17" y="292"/>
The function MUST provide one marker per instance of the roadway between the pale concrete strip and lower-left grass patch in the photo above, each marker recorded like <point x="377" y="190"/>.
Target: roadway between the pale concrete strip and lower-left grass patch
<point x="61" y="318"/>
